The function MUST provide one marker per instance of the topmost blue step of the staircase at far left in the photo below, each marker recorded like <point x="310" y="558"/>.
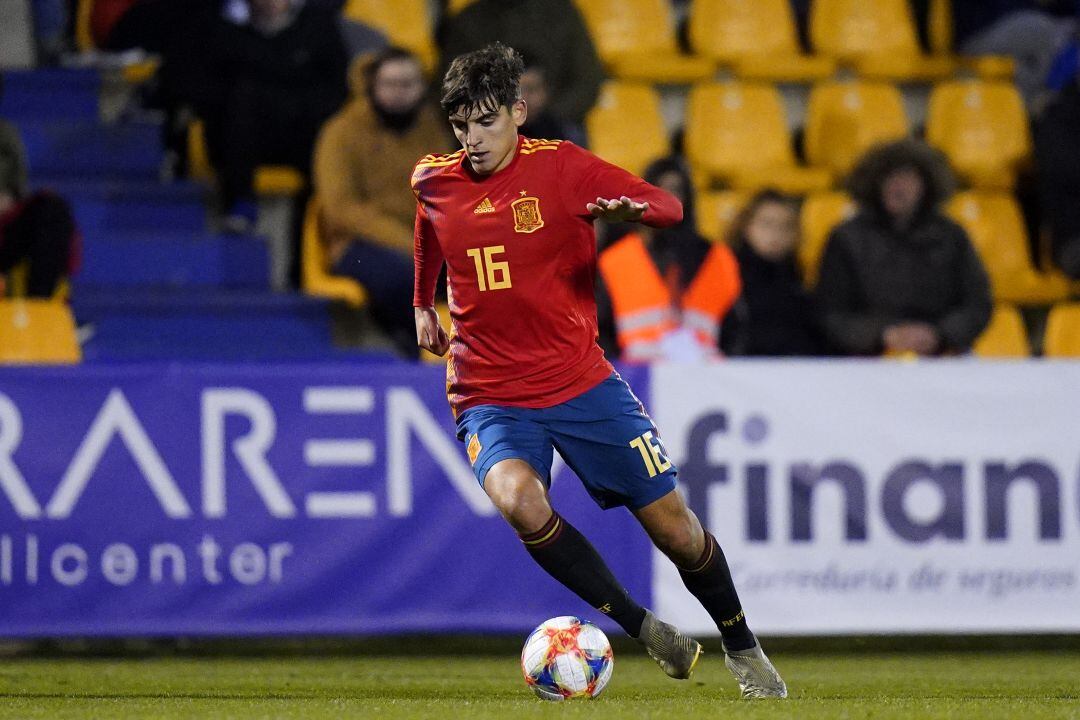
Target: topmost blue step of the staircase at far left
<point x="57" y="94"/>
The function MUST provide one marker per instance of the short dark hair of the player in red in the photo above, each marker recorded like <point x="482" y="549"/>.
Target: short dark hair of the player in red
<point x="485" y="79"/>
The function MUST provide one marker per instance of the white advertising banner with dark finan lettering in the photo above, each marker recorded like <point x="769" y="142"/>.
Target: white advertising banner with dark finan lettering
<point x="870" y="497"/>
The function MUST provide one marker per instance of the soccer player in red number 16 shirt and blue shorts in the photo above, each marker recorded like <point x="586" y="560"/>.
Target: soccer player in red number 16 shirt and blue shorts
<point x="512" y="220"/>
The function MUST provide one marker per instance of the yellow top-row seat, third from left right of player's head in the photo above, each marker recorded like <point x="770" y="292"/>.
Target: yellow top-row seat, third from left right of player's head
<point x="876" y="38"/>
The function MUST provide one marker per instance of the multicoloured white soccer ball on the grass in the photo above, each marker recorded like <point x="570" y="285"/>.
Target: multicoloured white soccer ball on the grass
<point x="565" y="658"/>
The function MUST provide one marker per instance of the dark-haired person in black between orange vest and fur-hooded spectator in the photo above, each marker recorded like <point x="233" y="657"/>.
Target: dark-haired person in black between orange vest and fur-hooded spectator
<point x="775" y="317"/>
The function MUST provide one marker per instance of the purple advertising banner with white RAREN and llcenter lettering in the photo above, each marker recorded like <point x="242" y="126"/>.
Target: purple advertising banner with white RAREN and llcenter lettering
<point x="237" y="500"/>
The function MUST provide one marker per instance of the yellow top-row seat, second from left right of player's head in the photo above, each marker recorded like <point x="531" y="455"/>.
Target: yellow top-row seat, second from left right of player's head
<point x="755" y="38"/>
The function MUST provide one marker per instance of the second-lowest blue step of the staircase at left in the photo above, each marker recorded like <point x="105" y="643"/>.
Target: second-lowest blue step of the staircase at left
<point x="172" y="260"/>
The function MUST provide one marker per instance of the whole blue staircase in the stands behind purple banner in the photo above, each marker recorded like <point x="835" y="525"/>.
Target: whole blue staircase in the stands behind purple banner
<point x="155" y="283"/>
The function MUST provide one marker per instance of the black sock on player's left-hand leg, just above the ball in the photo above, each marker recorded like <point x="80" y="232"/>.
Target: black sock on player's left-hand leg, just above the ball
<point x="566" y="555"/>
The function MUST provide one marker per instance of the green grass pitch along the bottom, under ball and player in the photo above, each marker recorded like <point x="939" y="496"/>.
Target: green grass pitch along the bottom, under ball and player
<point x="444" y="686"/>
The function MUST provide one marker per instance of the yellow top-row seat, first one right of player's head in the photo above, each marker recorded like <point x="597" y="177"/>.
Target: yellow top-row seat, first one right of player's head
<point x="636" y="40"/>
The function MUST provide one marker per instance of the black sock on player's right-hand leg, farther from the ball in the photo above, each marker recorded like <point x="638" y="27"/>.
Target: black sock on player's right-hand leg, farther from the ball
<point x="710" y="581"/>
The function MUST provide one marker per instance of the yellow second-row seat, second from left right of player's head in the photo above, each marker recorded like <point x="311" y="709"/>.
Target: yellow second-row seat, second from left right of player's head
<point x="738" y="133"/>
